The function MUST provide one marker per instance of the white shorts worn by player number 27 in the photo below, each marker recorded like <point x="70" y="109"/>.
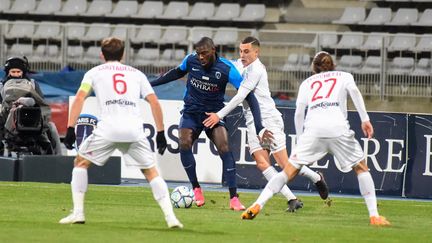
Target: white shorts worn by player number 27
<point x="345" y="148"/>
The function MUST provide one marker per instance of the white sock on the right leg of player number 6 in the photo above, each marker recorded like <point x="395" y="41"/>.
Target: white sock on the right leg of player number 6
<point x="161" y="195"/>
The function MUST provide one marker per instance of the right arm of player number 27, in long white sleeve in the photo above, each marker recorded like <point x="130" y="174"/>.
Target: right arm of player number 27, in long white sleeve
<point x="359" y="104"/>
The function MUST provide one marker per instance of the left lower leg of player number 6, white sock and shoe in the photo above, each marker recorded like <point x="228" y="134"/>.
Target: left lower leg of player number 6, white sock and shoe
<point x="79" y="186"/>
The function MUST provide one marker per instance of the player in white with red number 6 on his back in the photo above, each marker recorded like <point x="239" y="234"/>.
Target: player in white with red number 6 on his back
<point x="118" y="89"/>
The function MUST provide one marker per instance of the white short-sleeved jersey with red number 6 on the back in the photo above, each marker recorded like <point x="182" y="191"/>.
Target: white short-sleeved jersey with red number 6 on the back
<point x="118" y="89"/>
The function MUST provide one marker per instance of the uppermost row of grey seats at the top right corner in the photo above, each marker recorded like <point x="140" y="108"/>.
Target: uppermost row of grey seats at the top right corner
<point x="385" y="16"/>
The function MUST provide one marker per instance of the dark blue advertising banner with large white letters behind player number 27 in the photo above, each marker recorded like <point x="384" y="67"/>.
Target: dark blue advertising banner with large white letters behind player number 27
<point x="385" y="155"/>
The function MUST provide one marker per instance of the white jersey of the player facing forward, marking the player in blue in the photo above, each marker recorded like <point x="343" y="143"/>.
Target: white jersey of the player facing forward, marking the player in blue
<point x="255" y="79"/>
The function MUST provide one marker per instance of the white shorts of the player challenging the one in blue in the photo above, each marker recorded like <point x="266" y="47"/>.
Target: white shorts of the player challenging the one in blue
<point x="275" y="125"/>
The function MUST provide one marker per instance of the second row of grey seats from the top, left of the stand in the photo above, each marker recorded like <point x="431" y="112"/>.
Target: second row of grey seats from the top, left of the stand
<point x="136" y="34"/>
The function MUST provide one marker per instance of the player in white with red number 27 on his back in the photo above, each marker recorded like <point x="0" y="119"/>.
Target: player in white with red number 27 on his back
<point x="326" y="130"/>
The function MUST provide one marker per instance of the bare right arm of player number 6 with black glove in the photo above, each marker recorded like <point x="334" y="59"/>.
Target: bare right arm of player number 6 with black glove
<point x="155" y="106"/>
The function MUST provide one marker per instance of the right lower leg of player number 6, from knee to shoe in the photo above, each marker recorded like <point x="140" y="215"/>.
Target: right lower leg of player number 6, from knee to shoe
<point x="161" y="195"/>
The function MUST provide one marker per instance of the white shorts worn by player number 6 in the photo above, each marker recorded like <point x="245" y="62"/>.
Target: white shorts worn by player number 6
<point x="135" y="154"/>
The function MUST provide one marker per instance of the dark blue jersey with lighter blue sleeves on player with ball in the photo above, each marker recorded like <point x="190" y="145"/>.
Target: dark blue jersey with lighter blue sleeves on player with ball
<point x="205" y="89"/>
